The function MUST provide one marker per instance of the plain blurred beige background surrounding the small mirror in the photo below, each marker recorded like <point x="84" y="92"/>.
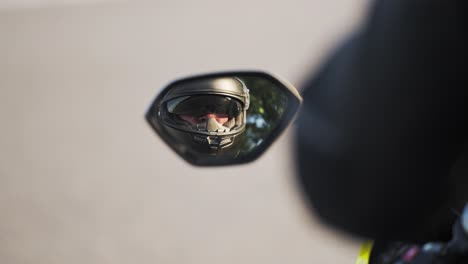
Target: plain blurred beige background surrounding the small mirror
<point x="83" y="179"/>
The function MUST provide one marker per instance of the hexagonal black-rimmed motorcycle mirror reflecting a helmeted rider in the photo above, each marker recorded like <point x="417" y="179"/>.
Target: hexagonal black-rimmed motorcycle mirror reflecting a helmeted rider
<point x="223" y="118"/>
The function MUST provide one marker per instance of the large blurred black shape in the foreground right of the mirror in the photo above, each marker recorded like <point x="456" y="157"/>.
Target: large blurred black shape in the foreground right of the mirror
<point x="384" y="122"/>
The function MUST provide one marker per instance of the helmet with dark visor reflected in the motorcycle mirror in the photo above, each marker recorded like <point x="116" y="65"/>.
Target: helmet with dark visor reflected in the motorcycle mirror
<point x="211" y="111"/>
